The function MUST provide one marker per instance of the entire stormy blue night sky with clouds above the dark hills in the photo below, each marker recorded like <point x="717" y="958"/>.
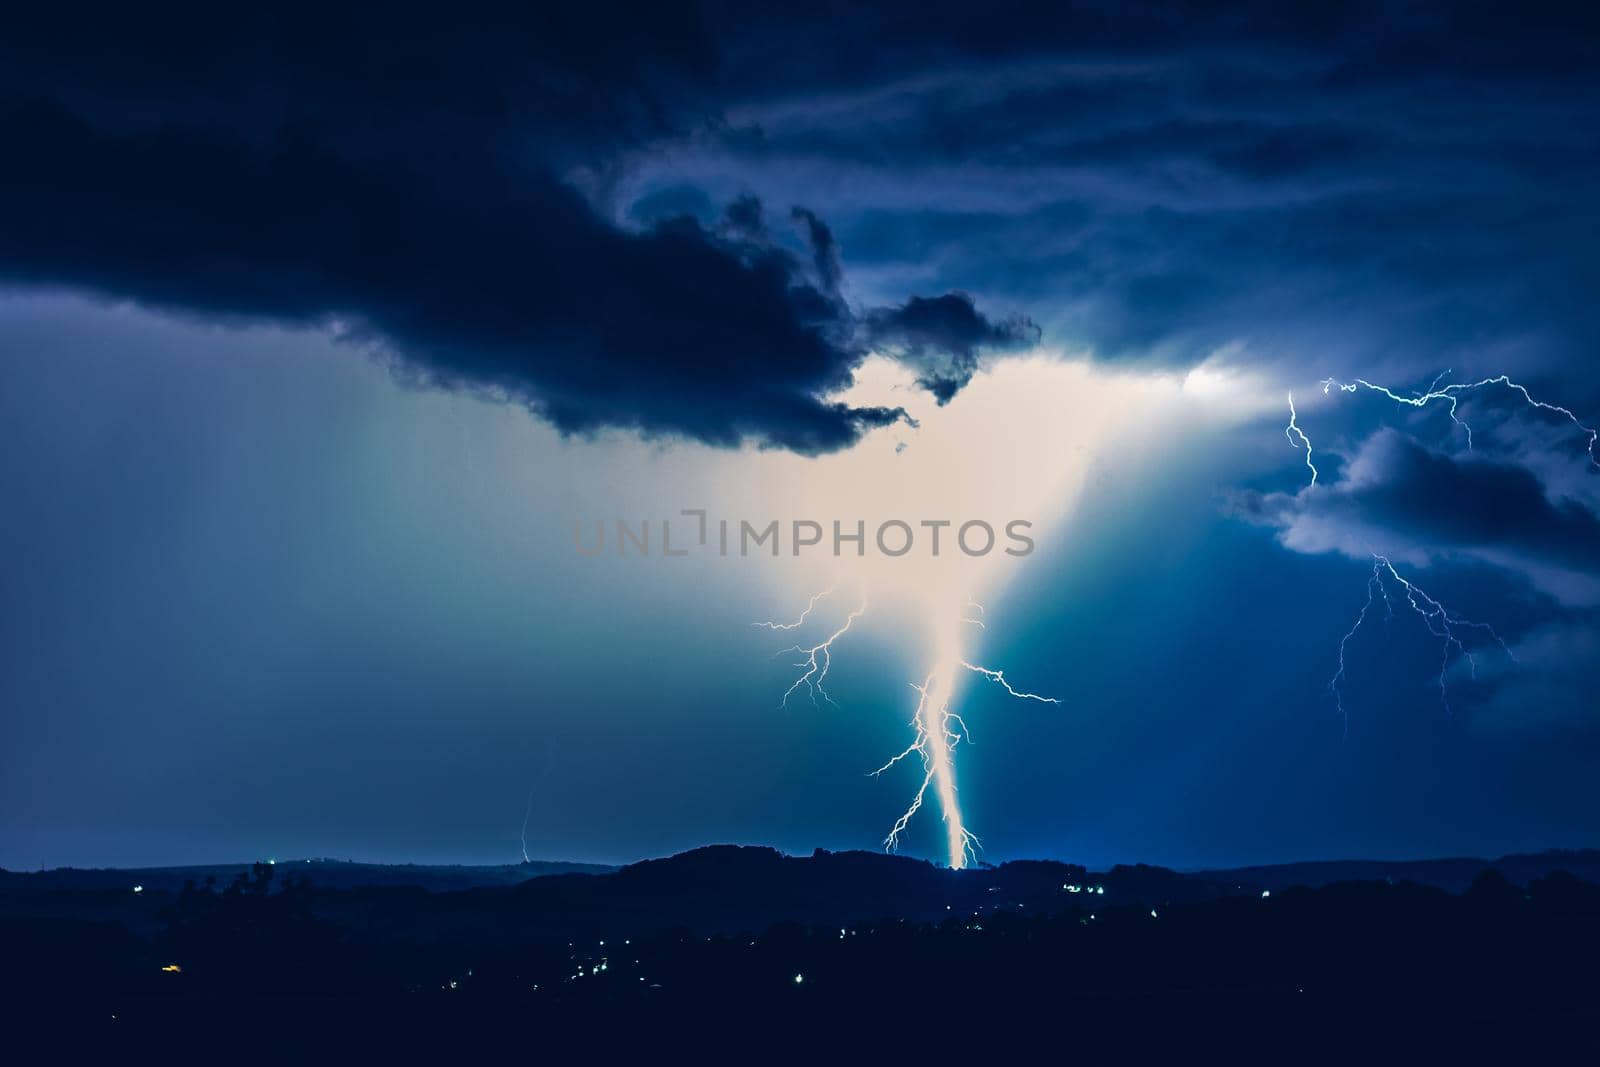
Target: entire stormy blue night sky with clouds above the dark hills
<point x="321" y="330"/>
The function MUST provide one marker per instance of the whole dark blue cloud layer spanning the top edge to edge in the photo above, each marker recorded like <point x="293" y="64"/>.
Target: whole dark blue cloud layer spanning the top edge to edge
<point x="521" y="199"/>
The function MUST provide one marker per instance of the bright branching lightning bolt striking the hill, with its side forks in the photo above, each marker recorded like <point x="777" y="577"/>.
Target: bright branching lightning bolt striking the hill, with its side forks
<point x="938" y="729"/>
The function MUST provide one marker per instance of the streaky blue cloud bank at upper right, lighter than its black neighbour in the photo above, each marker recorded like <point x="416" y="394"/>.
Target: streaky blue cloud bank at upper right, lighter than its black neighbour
<point x="1326" y="190"/>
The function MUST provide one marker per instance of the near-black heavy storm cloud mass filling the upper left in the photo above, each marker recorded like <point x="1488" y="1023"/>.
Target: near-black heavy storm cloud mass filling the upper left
<point x="417" y="186"/>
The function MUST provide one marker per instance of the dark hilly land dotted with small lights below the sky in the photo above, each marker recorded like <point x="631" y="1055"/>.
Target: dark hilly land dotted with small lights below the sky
<point x="758" y="956"/>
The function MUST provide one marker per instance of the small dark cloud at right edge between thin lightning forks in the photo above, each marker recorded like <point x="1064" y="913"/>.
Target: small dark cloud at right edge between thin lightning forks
<point x="1399" y="498"/>
